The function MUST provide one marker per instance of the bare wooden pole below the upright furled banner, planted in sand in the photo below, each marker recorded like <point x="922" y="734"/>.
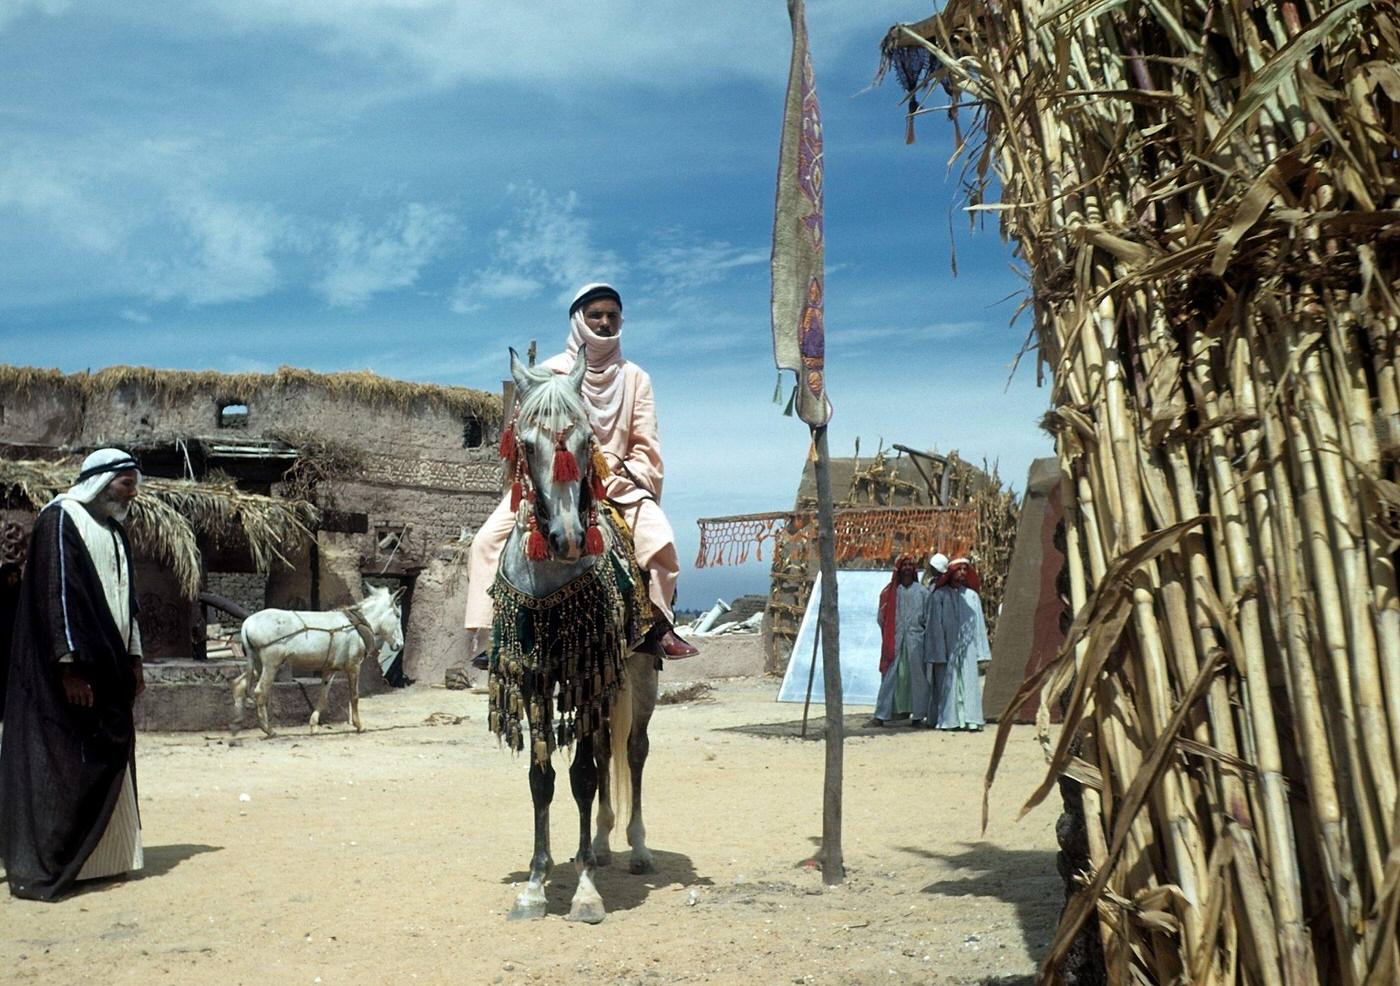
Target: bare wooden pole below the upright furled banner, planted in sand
<point x="834" y="868"/>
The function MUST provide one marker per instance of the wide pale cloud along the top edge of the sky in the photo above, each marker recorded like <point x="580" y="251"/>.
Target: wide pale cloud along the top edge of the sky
<point x="664" y="44"/>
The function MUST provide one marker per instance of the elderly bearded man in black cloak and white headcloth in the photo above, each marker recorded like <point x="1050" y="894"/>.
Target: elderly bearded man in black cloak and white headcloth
<point x="68" y="756"/>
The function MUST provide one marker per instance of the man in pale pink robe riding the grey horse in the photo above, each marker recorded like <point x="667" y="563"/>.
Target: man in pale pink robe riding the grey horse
<point x="624" y="415"/>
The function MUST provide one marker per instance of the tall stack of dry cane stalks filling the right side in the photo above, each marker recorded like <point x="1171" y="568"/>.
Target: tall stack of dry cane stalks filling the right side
<point x="1207" y="197"/>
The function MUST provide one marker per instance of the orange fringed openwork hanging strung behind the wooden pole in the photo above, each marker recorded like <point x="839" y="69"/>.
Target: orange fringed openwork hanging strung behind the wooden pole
<point x="873" y="536"/>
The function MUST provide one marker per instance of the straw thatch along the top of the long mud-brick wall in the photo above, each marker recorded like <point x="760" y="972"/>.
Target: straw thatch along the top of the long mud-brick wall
<point x="174" y="386"/>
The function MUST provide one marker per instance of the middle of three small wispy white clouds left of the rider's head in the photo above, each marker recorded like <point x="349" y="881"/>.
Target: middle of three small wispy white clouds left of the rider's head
<point x="367" y="263"/>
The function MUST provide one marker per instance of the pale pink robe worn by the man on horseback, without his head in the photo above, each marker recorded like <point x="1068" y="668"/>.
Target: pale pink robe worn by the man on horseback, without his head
<point x="632" y="447"/>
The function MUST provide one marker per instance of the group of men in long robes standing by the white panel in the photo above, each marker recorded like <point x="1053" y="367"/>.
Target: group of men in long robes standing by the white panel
<point x="933" y="644"/>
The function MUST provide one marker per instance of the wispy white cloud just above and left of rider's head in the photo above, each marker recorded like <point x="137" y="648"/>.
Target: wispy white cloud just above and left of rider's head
<point x="548" y="243"/>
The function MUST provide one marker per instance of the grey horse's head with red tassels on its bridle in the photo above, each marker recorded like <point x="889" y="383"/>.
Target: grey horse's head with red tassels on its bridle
<point x="554" y="460"/>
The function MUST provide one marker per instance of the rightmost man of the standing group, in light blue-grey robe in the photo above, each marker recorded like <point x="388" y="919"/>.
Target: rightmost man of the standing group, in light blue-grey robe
<point x="955" y="644"/>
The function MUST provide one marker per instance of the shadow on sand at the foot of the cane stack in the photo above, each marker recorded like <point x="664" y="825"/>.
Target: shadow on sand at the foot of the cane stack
<point x="1027" y="879"/>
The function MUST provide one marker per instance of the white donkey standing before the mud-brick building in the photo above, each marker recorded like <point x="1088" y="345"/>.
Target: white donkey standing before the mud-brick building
<point x="316" y="642"/>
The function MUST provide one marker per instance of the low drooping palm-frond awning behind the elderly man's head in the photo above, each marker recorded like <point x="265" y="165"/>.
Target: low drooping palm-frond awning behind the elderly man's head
<point x="170" y="515"/>
